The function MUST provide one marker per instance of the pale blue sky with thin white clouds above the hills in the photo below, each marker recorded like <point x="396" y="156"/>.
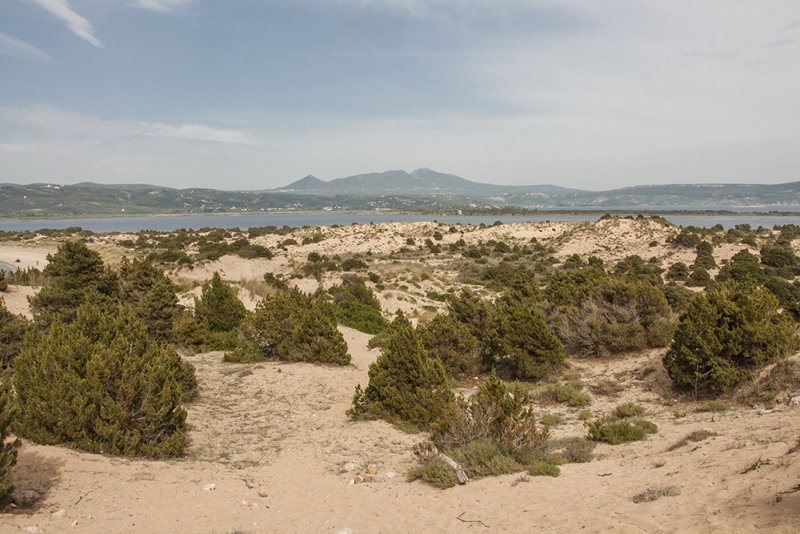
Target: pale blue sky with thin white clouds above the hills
<point x="255" y="94"/>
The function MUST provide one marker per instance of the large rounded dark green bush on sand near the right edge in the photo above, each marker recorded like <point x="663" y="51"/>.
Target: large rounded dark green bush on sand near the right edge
<point x="725" y="334"/>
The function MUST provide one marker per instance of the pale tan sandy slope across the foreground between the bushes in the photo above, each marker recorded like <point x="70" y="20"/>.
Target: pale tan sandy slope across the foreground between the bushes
<point x="271" y="438"/>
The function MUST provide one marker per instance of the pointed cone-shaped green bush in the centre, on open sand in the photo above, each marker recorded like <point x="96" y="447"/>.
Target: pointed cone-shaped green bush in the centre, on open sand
<point x="404" y="383"/>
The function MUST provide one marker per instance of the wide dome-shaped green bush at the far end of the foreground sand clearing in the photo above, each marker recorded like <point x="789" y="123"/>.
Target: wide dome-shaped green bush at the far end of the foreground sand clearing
<point x="291" y="327"/>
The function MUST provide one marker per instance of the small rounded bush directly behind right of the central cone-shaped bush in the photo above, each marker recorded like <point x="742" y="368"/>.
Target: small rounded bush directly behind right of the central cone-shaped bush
<point x="450" y="342"/>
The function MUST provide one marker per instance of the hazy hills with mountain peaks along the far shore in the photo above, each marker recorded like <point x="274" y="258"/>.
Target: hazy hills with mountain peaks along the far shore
<point x="420" y="190"/>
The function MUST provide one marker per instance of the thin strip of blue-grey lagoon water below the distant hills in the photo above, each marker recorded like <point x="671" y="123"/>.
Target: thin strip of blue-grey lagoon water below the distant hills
<point x="244" y="221"/>
